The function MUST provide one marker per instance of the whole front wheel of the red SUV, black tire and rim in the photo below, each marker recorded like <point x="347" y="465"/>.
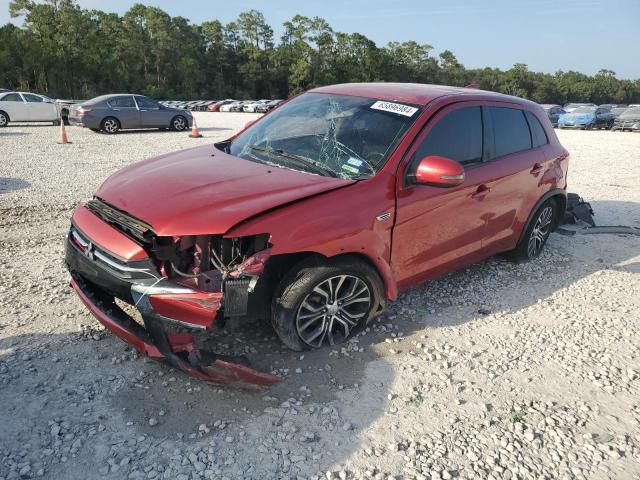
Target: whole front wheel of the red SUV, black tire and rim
<point x="306" y="319"/>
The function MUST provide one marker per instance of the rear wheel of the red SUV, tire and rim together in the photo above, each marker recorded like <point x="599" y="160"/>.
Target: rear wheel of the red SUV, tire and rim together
<point x="535" y="237"/>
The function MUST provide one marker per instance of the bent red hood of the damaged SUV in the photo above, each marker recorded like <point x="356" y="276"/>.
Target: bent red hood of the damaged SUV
<point x="206" y="191"/>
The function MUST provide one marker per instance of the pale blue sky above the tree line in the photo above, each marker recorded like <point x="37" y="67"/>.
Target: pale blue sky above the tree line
<point x="547" y="35"/>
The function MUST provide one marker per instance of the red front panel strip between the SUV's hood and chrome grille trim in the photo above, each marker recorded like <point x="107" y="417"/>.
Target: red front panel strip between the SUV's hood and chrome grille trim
<point x="105" y="236"/>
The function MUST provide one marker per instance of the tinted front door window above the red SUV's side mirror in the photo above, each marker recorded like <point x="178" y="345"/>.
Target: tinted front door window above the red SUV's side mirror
<point x="457" y="136"/>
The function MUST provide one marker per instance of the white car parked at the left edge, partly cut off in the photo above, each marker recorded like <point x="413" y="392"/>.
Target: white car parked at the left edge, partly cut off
<point x="27" y="107"/>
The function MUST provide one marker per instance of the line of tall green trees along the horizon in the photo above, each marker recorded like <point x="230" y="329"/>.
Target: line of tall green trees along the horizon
<point x="70" y="52"/>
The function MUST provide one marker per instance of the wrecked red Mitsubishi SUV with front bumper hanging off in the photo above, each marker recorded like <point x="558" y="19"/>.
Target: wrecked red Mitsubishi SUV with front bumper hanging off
<point x="315" y="216"/>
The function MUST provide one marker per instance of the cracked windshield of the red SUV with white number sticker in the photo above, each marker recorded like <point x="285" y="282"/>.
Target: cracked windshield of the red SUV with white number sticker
<point x="330" y="135"/>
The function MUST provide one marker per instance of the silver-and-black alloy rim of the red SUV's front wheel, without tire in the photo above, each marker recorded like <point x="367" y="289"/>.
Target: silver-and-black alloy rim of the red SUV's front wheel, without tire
<point x="333" y="308"/>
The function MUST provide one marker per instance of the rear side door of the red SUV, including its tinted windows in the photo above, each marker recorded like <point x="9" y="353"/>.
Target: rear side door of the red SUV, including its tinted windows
<point x="518" y="165"/>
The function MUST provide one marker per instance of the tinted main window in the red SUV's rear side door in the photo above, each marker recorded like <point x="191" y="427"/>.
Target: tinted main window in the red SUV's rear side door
<point x="510" y="131"/>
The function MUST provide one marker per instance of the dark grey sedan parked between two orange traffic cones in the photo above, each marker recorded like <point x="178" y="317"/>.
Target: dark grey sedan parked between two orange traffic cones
<point x="111" y="113"/>
